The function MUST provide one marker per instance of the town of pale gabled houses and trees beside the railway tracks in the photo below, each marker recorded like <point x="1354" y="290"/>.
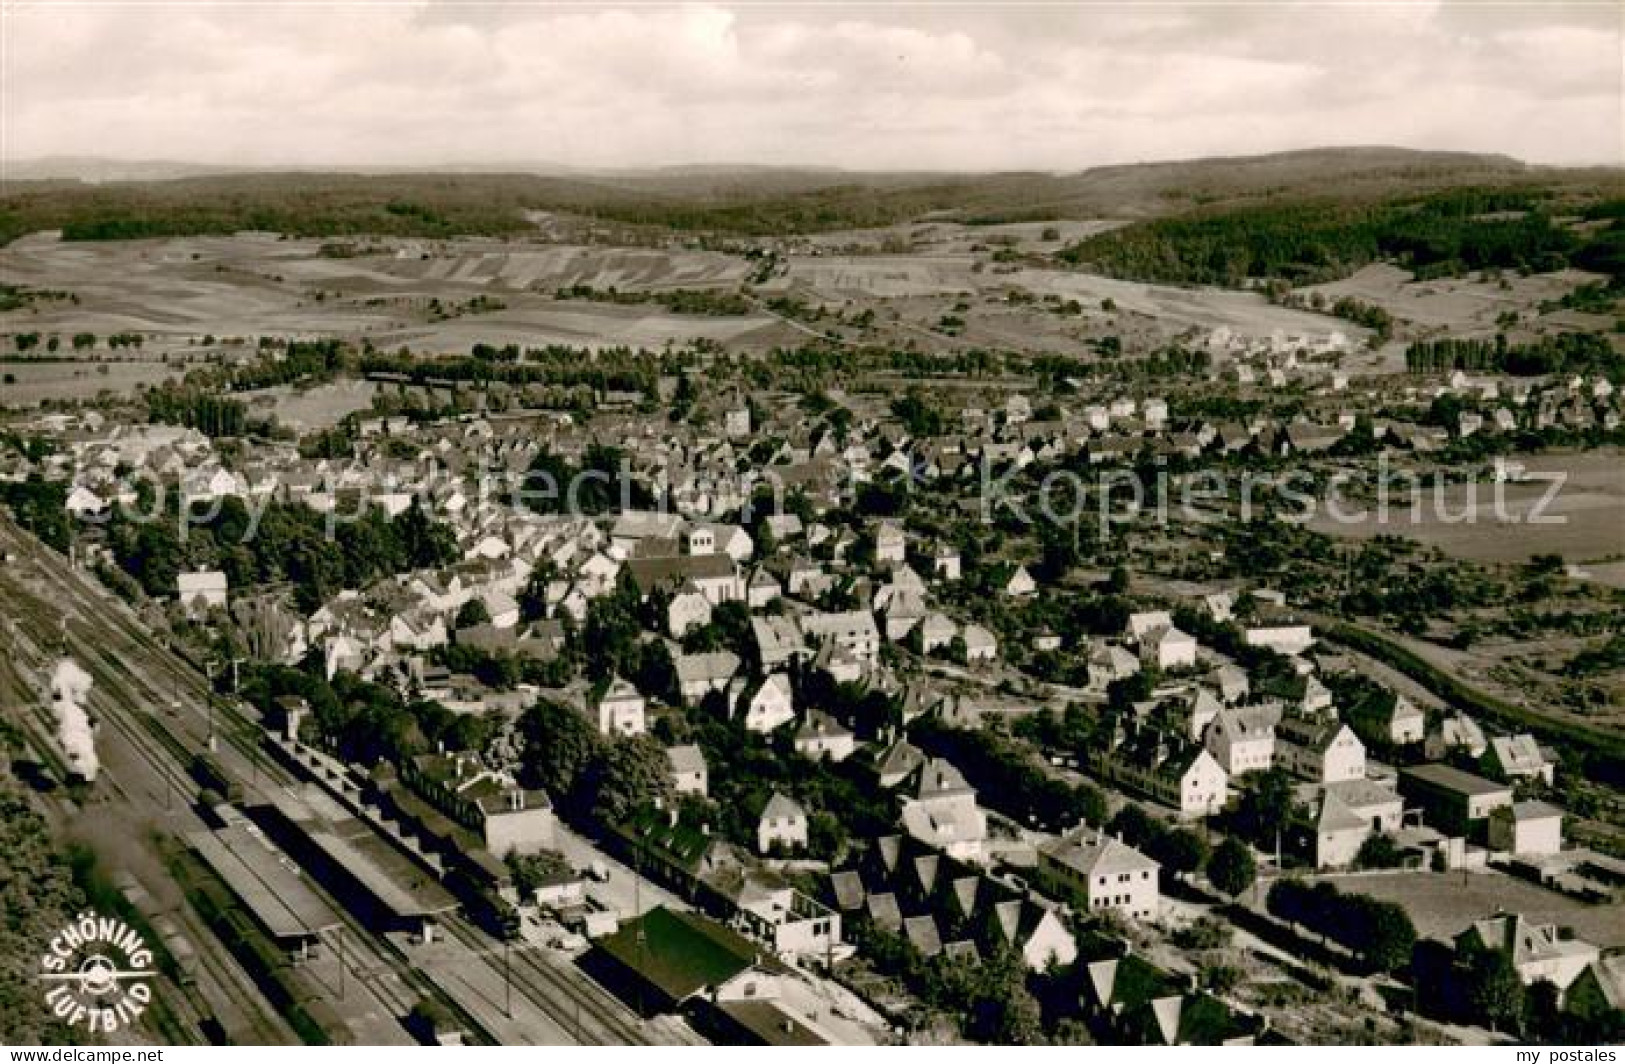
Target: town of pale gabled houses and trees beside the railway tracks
<point x="724" y="688"/>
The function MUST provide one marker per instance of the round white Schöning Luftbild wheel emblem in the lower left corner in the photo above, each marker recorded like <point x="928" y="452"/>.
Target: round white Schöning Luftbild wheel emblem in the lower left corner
<point x="98" y="972"/>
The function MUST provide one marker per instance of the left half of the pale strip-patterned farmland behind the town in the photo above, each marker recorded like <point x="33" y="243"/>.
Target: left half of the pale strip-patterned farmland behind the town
<point x="394" y="293"/>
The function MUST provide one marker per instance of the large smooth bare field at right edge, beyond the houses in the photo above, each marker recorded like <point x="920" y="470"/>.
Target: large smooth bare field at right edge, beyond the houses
<point x="1588" y="513"/>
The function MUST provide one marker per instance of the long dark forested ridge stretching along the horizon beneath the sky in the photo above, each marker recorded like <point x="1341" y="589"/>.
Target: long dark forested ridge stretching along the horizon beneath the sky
<point x="730" y="201"/>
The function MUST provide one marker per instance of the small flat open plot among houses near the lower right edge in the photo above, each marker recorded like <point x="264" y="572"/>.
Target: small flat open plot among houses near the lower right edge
<point x="1444" y="906"/>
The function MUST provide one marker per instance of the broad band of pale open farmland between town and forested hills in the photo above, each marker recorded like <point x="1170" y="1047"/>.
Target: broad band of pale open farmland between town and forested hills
<point x="444" y="296"/>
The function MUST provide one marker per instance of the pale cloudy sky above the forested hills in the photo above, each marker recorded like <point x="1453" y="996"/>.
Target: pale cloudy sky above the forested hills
<point x="856" y="85"/>
